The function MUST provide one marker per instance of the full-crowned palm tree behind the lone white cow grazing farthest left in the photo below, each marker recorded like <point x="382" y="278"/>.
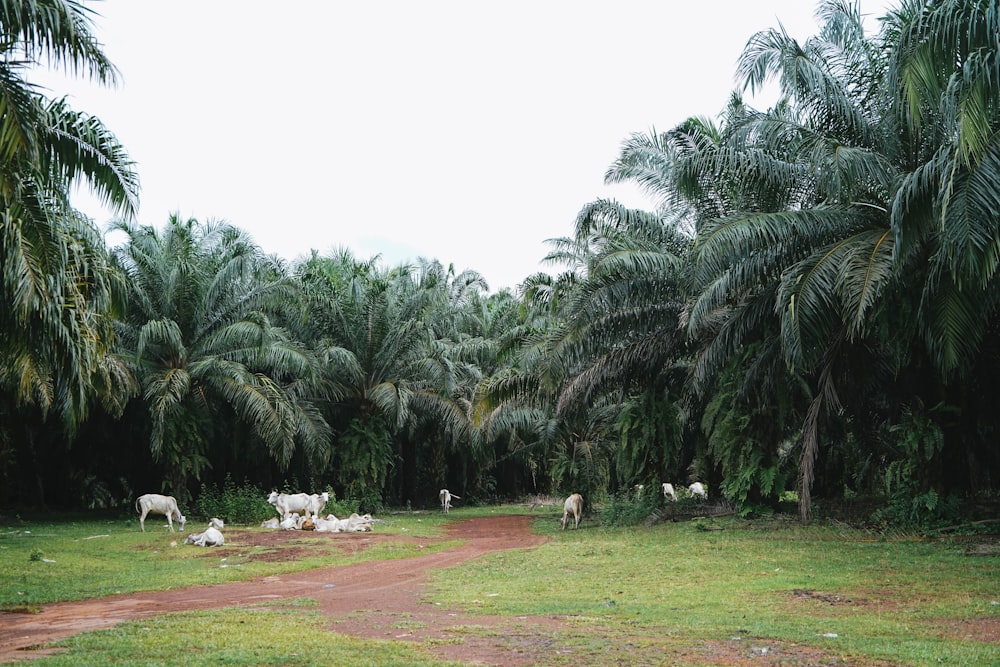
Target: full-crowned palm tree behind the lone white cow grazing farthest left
<point x="199" y="337"/>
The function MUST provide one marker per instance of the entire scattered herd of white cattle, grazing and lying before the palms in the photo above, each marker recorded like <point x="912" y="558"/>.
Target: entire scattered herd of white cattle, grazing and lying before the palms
<point x="301" y="511"/>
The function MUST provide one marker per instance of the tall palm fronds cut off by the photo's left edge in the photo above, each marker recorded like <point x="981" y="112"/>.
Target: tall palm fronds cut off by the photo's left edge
<point x="53" y="282"/>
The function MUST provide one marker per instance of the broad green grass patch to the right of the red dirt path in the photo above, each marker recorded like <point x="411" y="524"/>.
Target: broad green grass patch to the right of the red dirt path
<point x="904" y="600"/>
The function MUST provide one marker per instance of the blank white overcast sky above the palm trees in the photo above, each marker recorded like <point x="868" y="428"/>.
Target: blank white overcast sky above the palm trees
<point x="461" y="130"/>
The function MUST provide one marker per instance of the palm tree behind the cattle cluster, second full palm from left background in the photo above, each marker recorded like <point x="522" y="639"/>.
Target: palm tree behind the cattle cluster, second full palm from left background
<point x="397" y="379"/>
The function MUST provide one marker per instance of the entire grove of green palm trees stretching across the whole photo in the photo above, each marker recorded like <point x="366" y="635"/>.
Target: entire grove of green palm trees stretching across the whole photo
<point x="810" y="315"/>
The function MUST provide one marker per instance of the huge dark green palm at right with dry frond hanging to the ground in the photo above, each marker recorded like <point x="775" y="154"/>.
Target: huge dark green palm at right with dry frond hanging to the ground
<point x="848" y="226"/>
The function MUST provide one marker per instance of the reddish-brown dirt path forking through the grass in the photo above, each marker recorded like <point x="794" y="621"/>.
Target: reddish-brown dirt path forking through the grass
<point x="365" y="600"/>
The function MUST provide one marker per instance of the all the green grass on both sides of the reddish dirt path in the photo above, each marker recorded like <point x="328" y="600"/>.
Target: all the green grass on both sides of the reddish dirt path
<point x="729" y="592"/>
